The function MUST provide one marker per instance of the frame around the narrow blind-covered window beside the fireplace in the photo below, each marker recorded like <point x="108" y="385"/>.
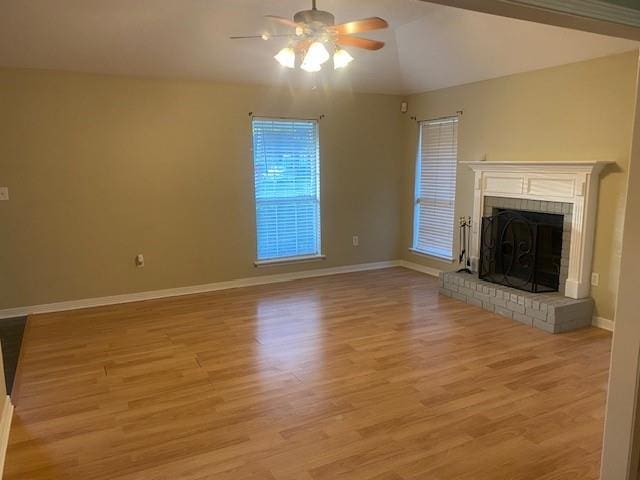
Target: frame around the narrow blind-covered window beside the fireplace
<point x="418" y="194"/>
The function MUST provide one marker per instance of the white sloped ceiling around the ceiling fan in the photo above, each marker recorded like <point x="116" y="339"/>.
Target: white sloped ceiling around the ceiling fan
<point x="428" y="46"/>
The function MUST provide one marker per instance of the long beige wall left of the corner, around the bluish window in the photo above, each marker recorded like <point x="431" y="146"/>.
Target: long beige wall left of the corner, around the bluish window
<point x="102" y="168"/>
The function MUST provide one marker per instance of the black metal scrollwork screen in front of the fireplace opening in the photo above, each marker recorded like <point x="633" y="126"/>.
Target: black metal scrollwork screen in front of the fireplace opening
<point x="522" y="250"/>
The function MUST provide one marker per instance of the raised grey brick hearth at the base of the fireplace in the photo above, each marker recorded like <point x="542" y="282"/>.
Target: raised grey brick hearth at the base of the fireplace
<point x="551" y="312"/>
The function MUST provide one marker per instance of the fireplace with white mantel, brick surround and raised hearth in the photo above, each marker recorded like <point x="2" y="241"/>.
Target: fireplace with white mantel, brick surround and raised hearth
<point x="566" y="189"/>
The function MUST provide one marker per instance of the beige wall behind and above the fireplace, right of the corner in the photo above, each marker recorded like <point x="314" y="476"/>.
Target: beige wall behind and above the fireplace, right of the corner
<point x="582" y="111"/>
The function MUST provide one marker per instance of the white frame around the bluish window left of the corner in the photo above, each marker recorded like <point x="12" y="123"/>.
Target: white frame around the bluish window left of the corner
<point x="318" y="199"/>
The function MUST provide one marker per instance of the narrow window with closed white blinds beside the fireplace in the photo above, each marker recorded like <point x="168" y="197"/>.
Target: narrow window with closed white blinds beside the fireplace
<point x="435" y="189"/>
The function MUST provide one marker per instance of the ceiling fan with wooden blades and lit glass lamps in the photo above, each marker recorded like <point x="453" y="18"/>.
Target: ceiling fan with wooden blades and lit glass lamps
<point x="316" y="35"/>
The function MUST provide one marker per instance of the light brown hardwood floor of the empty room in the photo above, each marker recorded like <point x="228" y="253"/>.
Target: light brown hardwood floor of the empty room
<point x="359" y="376"/>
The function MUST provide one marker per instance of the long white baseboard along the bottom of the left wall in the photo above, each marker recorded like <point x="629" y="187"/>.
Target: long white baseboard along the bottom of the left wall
<point x="174" y="292"/>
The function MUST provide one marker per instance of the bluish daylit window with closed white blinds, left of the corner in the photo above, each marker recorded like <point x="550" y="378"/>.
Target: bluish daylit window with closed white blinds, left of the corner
<point x="287" y="188"/>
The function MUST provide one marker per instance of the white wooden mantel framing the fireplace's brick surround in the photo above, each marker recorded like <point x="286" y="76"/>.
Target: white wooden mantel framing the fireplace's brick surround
<point x="569" y="182"/>
